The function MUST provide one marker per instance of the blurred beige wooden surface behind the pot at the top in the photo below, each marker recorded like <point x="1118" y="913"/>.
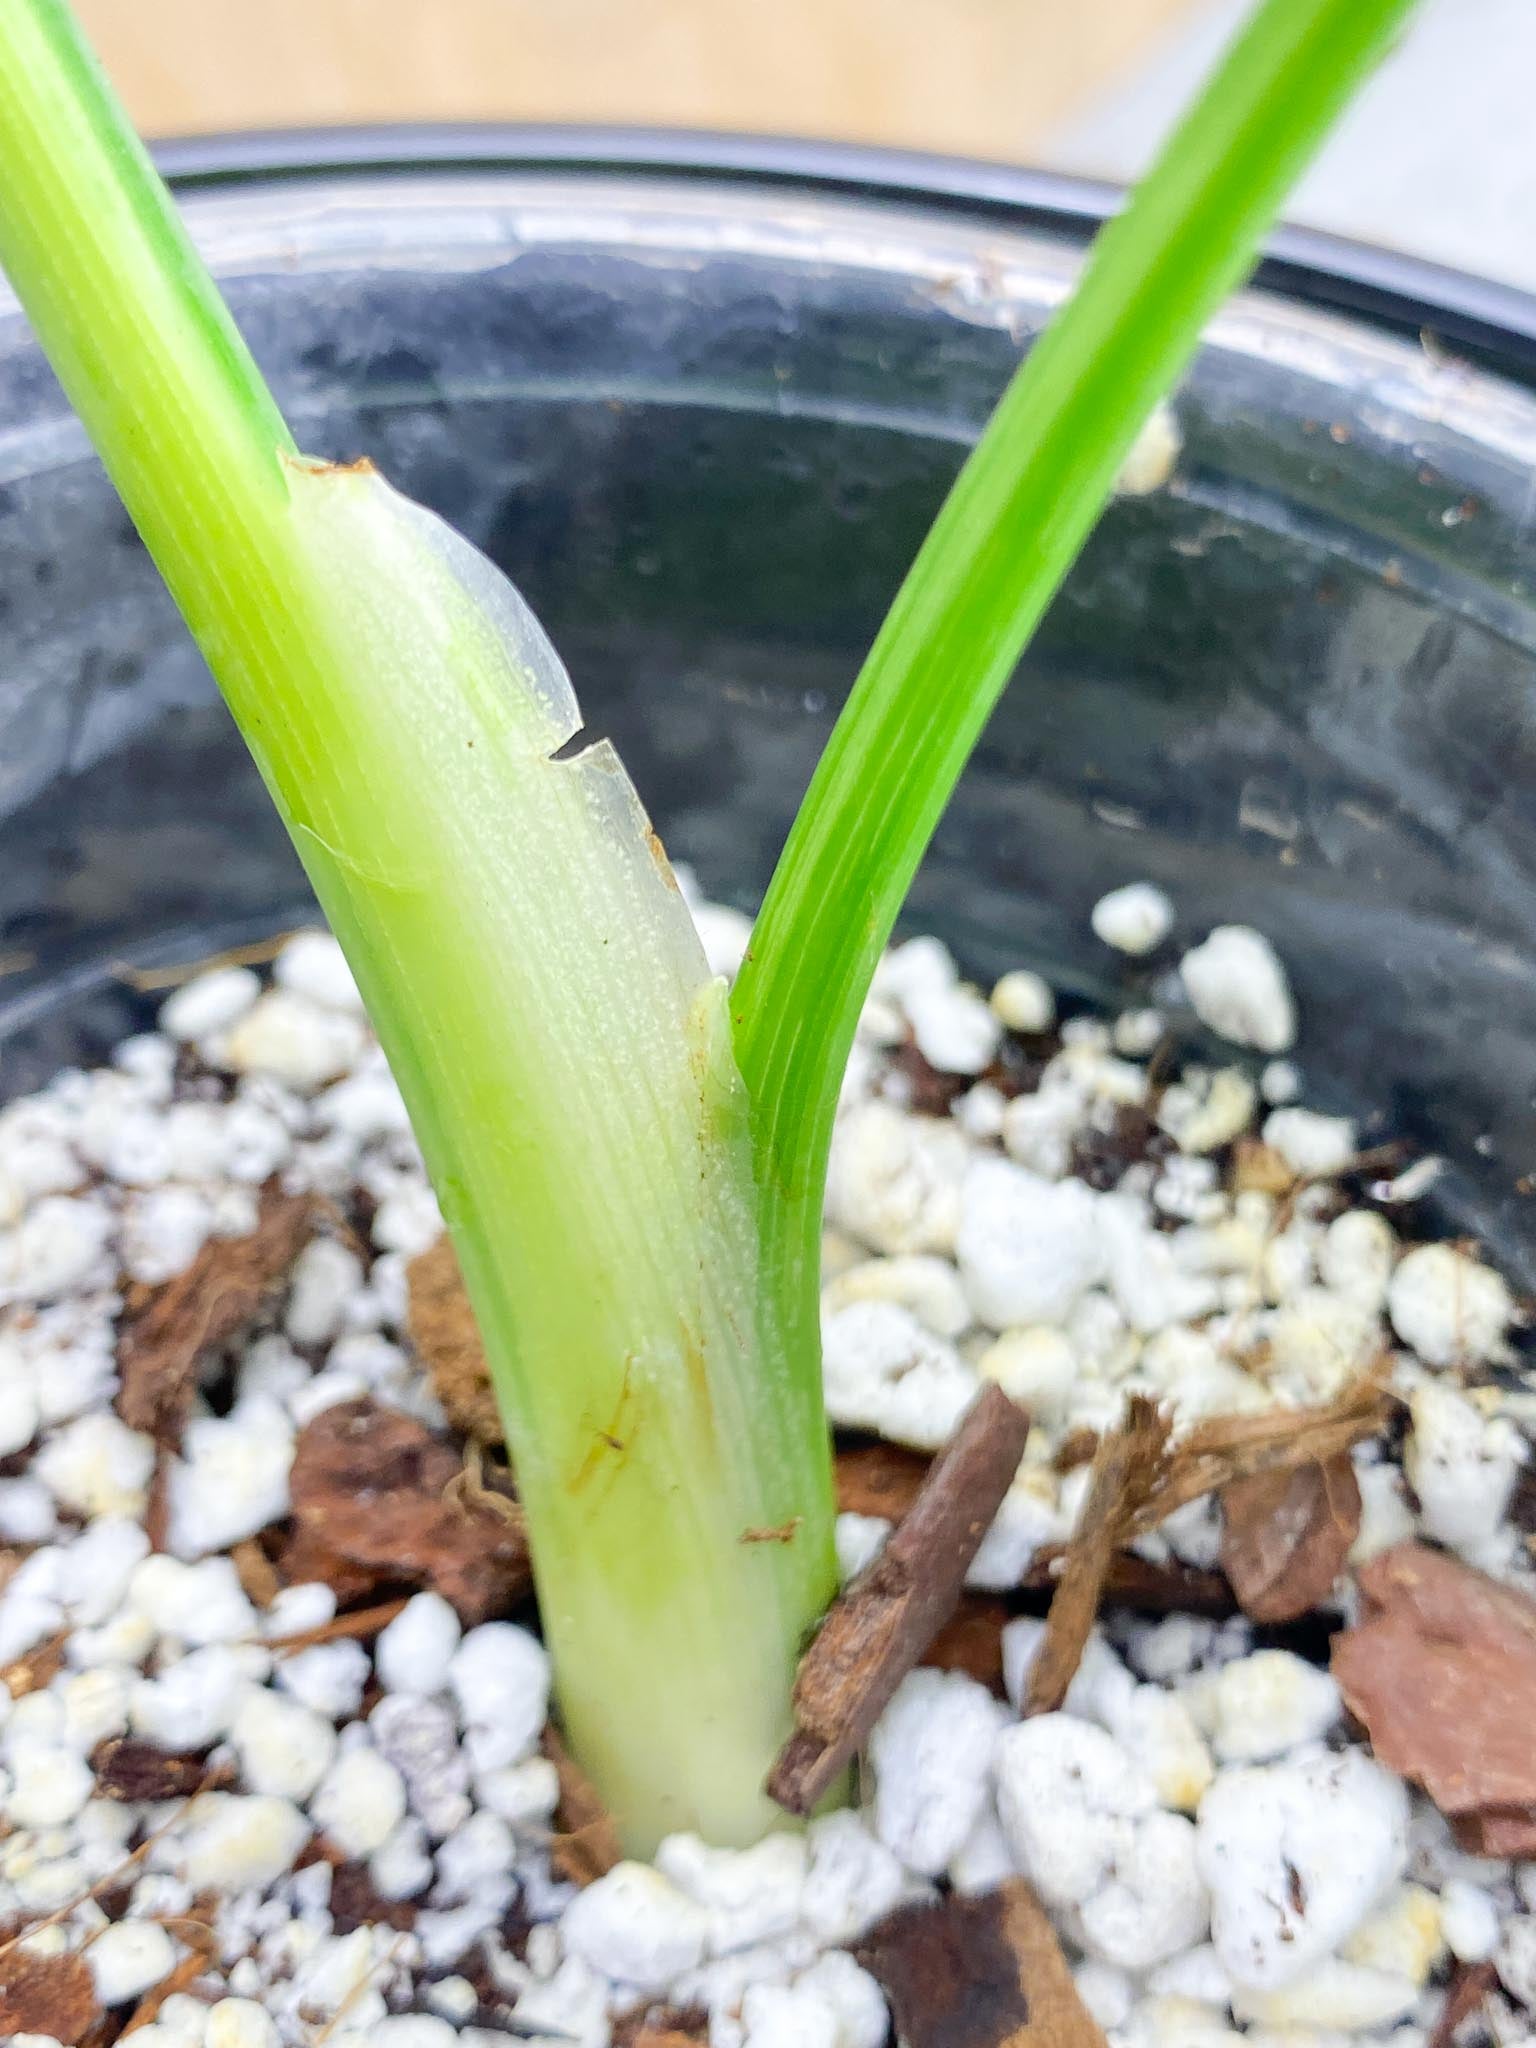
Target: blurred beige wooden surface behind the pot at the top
<point x="986" y="77"/>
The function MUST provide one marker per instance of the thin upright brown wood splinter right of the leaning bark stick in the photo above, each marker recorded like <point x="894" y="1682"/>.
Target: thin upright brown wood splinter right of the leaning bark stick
<point x="1127" y="1465"/>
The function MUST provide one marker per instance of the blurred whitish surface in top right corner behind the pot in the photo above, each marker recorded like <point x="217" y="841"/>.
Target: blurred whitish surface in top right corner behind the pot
<point x="1439" y="157"/>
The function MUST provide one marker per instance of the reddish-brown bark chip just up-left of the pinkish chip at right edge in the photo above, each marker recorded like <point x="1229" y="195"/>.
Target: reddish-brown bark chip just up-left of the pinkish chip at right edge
<point x="1287" y="1535"/>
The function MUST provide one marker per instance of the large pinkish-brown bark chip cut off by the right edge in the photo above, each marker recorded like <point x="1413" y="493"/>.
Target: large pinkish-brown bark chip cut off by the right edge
<point x="1443" y="1674"/>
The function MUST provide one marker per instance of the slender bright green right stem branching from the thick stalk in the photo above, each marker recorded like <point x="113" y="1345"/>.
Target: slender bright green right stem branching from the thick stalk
<point x="996" y="556"/>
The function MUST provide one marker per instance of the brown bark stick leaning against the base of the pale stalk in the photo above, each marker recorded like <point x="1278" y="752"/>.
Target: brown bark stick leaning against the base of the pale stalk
<point x="884" y="1623"/>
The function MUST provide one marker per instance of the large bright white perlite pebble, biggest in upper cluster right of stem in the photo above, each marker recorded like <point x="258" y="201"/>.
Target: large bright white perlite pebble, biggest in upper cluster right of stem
<point x="1027" y="1248"/>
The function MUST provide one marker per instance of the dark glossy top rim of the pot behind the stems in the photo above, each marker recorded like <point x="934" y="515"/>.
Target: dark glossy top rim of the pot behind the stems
<point x="1492" y="323"/>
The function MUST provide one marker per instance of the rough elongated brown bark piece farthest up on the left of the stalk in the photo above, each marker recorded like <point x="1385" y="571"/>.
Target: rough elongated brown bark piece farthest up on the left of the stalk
<point x="230" y="1281"/>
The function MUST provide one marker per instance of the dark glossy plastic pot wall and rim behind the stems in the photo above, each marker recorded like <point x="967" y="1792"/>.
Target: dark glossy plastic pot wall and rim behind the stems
<point x="701" y="398"/>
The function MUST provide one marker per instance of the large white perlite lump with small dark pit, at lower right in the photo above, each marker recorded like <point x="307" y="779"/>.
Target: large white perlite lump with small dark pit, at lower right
<point x="1295" y="1859"/>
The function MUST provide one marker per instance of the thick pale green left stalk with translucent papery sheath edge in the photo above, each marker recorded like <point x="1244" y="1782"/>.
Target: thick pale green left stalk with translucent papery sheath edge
<point x="534" y="976"/>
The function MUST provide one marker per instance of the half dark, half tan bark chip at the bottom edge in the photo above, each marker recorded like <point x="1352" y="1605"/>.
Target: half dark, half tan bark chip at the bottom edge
<point x="978" y="1973"/>
